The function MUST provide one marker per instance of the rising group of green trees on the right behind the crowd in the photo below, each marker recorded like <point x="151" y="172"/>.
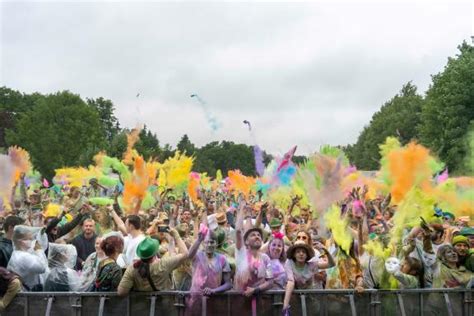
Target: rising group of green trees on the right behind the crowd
<point x="442" y="119"/>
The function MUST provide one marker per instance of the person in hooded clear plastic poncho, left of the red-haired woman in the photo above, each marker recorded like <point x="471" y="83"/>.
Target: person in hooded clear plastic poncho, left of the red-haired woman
<point x="61" y="276"/>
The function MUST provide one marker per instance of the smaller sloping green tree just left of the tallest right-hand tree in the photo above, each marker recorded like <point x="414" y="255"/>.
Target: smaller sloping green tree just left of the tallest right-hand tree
<point x="398" y="117"/>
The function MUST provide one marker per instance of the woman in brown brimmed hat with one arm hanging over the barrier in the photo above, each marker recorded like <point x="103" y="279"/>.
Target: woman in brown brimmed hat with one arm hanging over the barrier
<point x="300" y="270"/>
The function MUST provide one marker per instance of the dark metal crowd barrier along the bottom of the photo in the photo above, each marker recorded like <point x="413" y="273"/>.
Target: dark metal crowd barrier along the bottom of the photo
<point x="455" y="302"/>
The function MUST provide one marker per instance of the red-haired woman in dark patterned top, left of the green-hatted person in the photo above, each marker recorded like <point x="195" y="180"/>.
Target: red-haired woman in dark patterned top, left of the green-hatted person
<point x="109" y="273"/>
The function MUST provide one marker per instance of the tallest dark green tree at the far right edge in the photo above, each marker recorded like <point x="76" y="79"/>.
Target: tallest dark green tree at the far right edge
<point x="448" y="111"/>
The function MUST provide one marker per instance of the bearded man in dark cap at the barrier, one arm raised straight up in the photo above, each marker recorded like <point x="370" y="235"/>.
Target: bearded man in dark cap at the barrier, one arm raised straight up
<point x="256" y="275"/>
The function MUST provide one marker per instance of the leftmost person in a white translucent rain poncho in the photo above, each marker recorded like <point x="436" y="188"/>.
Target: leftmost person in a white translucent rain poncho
<point x="28" y="259"/>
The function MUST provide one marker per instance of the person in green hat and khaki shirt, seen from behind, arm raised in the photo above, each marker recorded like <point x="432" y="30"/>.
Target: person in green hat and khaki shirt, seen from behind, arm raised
<point x="151" y="273"/>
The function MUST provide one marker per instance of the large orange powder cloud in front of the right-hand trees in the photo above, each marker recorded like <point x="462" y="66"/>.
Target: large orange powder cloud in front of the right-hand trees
<point x="408" y="167"/>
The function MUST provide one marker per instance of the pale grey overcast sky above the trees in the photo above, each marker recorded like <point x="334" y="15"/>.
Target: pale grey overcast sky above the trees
<point x="302" y="73"/>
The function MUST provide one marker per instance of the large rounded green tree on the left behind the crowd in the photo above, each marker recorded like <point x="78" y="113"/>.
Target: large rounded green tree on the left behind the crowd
<point x="60" y="130"/>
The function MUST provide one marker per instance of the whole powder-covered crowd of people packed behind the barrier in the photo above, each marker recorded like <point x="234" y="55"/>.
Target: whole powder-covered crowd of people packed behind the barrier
<point x="227" y="241"/>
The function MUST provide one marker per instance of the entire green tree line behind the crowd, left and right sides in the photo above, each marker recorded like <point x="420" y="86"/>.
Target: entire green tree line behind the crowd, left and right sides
<point x="62" y="129"/>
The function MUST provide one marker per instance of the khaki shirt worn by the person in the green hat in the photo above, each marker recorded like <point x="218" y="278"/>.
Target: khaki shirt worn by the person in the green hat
<point x="160" y="273"/>
